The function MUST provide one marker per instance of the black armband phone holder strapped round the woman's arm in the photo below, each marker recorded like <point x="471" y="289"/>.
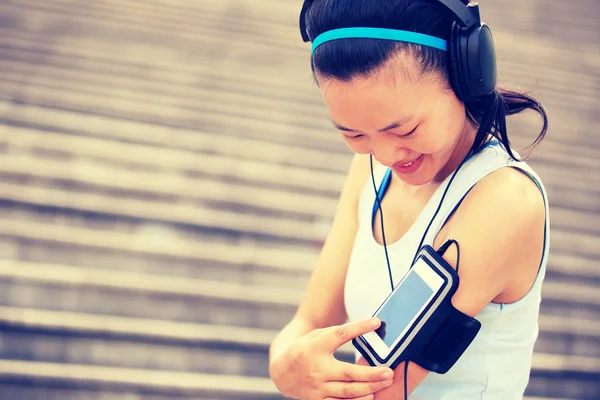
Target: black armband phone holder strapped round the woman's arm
<point x="438" y="334"/>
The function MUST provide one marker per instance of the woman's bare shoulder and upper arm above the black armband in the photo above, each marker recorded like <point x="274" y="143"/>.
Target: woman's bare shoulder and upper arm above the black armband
<point x="500" y="229"/>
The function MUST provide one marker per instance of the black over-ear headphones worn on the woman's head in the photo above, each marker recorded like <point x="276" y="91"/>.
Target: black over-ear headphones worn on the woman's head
<point x="471" y="53"/>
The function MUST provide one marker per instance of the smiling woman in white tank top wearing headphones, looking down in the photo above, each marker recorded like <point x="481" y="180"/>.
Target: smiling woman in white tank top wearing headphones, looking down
<point x="437" y="139"/>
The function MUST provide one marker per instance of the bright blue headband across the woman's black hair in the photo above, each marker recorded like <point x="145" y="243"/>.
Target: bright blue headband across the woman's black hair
<point x="380" y="33"/>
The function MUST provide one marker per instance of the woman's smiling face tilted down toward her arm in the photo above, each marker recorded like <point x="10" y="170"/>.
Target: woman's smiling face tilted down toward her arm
<point x="412" y="124"/>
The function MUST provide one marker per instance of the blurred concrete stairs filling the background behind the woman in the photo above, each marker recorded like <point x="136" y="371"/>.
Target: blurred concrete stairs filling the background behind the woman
<point x="162" y="208"/>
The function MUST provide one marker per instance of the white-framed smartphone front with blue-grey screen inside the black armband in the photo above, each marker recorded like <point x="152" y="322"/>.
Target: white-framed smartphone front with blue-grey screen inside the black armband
<point x="406" y="303"/>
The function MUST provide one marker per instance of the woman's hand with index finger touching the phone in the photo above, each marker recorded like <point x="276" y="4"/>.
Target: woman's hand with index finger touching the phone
<point x="308" y="370"/>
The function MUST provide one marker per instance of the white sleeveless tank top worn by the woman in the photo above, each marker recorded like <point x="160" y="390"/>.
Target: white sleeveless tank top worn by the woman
<point x="497" y="364"/>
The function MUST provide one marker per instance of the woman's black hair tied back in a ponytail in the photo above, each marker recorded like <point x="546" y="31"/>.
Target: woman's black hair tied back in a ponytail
<point x="358" y="57"/>
